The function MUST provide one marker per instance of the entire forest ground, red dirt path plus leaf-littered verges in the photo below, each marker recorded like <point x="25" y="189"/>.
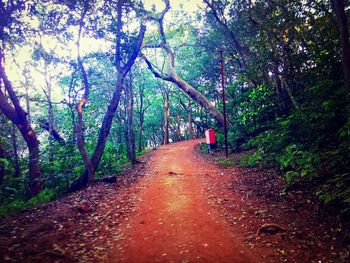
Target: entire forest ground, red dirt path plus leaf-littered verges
<point x="177" y="206"/>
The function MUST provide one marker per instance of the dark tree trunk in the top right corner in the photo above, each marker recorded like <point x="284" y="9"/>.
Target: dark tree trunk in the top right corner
<point x="339" y="8"/>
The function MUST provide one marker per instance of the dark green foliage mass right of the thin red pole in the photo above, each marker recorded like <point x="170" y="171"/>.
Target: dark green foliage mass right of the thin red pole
<point x="294" y="118"/>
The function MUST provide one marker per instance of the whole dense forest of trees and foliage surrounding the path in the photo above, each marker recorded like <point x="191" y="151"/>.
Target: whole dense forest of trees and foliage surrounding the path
<point x="88" y="86"/>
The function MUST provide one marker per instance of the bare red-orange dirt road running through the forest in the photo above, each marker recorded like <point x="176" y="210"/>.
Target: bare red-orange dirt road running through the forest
<point x="174" y="222"/>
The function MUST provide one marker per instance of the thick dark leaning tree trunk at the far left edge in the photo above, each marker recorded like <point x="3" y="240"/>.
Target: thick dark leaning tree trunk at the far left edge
<point x="18" y="116"/>
